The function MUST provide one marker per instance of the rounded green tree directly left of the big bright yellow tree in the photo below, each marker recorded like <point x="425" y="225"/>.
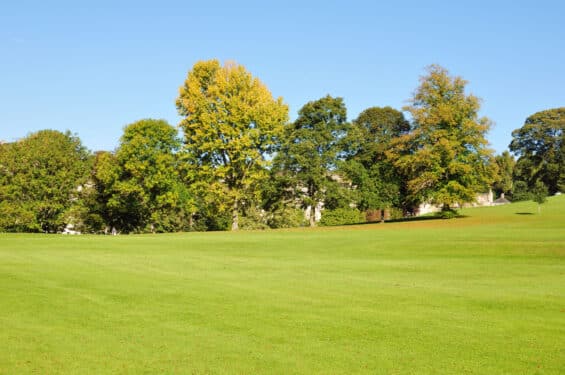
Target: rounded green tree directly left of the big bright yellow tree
<point x="140" y="188"/>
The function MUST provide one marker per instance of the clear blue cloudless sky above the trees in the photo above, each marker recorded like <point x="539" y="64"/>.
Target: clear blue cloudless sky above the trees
<point x="93" y="67"/>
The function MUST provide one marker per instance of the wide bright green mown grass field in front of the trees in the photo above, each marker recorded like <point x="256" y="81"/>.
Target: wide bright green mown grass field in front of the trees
<point x="484" y="294"/>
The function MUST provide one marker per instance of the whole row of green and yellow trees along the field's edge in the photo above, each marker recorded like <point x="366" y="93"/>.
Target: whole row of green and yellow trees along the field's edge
<point x="240" y="163"/>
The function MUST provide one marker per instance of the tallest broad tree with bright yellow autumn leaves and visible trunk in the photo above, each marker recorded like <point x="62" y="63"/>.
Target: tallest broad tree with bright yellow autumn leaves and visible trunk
<point x="231" y="125"/>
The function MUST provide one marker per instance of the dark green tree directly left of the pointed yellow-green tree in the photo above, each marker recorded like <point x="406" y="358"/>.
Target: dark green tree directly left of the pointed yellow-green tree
<point x="377" y="181"/>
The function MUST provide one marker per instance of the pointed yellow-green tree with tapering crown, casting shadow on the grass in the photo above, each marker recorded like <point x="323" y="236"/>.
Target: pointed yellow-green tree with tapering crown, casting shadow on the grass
<point x="445" y="155"/>
